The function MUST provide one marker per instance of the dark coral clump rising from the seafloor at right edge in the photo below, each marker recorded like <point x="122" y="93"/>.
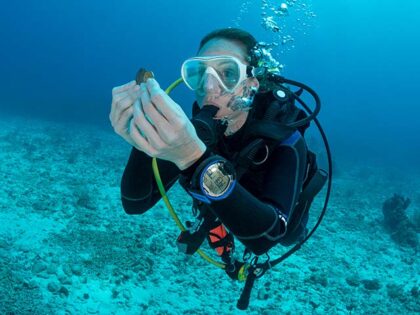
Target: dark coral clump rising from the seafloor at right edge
<point x="396" y="221"/>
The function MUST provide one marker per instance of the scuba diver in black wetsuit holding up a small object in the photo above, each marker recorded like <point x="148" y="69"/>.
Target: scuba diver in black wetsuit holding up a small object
<point x="242" y="157"/>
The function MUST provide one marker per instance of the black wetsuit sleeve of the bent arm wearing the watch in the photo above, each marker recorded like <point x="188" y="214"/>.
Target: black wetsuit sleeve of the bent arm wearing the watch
<point x="255" y="220"/>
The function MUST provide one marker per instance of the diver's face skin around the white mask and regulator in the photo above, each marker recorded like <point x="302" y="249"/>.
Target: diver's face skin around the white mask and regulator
<point x="211" y="93"/>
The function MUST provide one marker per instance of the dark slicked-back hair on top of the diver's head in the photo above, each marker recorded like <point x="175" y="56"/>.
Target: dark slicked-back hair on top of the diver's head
<point x="234" y="34"/>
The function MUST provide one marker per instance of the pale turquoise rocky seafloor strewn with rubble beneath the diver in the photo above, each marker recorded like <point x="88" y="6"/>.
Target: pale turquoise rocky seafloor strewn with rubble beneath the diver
<point x="68" y="247"/>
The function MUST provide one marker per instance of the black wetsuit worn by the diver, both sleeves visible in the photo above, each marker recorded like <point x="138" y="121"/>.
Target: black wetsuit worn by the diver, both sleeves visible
<point x="251" y="211"/>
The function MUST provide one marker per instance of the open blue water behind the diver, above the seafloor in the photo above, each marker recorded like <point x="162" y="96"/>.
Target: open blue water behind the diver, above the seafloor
<point x="60" y="59"/>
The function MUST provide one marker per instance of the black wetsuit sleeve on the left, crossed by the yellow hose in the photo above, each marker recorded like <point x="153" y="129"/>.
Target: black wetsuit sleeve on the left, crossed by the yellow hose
<point x="139" y="191"/>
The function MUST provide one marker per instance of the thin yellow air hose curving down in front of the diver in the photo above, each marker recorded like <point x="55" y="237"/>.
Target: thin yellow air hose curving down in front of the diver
<point x="165" y="198"/>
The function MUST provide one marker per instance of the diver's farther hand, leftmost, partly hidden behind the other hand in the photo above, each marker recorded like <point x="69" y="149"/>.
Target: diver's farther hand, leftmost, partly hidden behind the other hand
<point x="123" y="98"/>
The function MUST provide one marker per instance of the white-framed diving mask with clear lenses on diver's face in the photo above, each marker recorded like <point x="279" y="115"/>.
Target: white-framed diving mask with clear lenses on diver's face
<point x="229" y="71"/>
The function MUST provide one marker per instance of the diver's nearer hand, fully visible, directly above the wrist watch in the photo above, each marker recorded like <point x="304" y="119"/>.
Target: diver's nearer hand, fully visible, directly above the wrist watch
<point x="161" y="129"/>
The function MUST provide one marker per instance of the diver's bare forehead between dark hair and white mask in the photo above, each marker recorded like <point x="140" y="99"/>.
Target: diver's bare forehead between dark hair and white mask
<point x="220" y="46"/>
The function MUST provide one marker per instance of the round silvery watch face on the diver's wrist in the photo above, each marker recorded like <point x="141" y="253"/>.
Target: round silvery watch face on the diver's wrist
<point x="215" y="181"/>
